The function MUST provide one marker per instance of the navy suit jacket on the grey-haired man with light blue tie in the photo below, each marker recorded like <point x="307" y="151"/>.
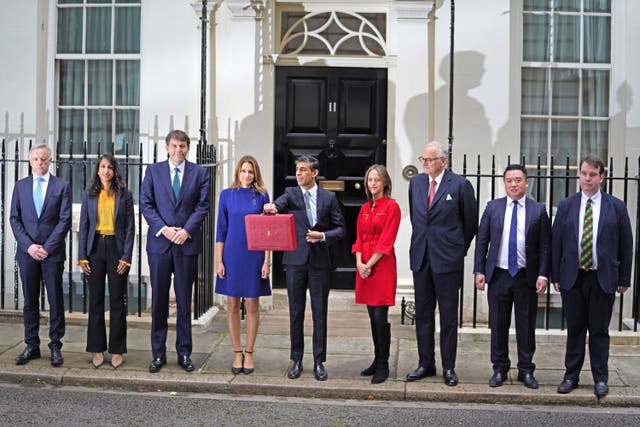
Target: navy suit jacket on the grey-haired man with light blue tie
<point x="50" y="230"/>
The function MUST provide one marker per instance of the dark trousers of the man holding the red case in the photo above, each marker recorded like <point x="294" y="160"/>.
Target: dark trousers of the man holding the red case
<point x="299" y="278"/>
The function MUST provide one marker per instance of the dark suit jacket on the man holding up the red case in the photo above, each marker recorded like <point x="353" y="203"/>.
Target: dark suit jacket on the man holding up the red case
<point x="329" y="220"/>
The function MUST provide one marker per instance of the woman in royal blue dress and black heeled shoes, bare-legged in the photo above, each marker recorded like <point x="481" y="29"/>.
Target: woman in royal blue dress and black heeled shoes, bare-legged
<point x="241" y="273"/>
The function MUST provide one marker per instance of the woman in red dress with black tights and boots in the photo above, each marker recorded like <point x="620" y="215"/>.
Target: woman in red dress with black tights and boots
<point x="376" y="279"/>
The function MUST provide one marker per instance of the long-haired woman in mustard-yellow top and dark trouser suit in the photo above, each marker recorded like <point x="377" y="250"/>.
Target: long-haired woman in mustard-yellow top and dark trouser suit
<point x="105" y="246"/>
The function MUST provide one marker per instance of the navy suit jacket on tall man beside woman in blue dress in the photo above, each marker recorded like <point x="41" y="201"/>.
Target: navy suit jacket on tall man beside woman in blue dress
<point x="159" y="207"/>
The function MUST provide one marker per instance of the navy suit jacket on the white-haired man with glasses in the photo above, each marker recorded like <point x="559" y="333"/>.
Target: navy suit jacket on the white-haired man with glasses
<point x="447" y="229"/>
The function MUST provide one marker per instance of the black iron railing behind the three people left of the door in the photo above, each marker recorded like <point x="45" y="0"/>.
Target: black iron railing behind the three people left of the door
<point x="74" y="163"/>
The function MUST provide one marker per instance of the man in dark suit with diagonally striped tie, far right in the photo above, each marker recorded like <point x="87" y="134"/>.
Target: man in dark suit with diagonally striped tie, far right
<point x="592" y="253"/>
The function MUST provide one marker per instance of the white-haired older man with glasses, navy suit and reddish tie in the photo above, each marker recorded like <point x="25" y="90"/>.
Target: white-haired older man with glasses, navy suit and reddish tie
<point x="444" y="220"/>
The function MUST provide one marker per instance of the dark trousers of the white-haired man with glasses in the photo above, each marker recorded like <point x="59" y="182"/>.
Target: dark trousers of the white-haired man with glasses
<point x="445" y="290"/>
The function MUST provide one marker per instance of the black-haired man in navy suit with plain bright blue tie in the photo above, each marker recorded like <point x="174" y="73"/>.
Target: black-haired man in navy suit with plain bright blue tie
<point x="513" y="256"/>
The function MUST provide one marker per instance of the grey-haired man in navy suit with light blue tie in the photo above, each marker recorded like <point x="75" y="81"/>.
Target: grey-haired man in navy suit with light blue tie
<point x="40" y="219"/>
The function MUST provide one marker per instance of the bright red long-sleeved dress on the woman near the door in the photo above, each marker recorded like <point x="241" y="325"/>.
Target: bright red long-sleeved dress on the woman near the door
<point x="377" y="229"/>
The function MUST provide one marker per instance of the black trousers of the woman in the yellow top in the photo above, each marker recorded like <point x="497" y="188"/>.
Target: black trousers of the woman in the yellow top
<point x="104" y="260"/>
